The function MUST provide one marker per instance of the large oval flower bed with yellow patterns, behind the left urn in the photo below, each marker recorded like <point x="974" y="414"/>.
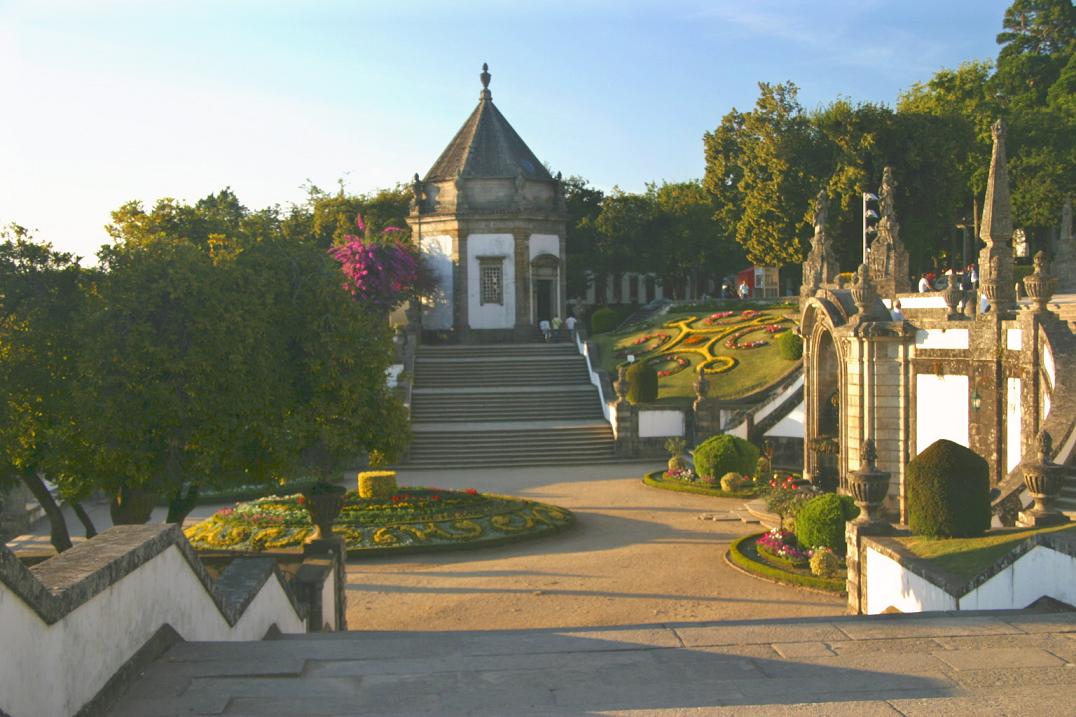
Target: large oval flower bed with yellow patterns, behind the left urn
<point x="412" y="519"/>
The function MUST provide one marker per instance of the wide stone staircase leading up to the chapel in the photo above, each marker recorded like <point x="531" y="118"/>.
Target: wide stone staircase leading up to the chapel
<point x="507" y="404"/>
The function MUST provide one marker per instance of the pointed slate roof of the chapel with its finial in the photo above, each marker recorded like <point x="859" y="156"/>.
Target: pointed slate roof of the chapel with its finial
<point x="487" y="147"/>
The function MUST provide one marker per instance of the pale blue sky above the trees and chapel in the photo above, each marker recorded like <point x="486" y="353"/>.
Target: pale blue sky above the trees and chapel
<point x="107" y="102"/>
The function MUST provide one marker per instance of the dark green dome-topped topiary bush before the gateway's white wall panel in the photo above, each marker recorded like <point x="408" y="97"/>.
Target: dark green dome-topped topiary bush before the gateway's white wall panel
<point x="948" y="491"/>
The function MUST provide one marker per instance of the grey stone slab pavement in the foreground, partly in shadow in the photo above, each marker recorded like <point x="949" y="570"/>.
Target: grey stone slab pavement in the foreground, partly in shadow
<point x="929" y="665"/>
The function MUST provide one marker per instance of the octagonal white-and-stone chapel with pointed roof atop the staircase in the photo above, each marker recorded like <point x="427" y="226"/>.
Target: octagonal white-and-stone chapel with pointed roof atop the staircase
<point x="490" y="220"/>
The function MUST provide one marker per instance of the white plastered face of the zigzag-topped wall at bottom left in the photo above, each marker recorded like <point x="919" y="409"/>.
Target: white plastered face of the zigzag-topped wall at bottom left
<point x="55" y="670"/>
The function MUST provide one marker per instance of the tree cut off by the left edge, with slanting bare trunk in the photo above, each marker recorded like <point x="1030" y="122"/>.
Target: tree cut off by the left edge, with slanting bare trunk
<point x="39" y="301"/>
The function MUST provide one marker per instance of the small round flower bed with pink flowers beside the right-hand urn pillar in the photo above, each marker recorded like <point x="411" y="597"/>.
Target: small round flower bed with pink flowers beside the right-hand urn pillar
<point x="775" y="557"/>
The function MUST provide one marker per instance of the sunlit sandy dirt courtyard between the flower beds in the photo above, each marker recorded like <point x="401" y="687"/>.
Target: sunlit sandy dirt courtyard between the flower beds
<point x="638" y="555"/>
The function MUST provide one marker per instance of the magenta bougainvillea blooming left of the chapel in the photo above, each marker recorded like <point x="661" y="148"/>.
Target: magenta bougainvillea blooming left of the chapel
<point x="380" y="272"/>
